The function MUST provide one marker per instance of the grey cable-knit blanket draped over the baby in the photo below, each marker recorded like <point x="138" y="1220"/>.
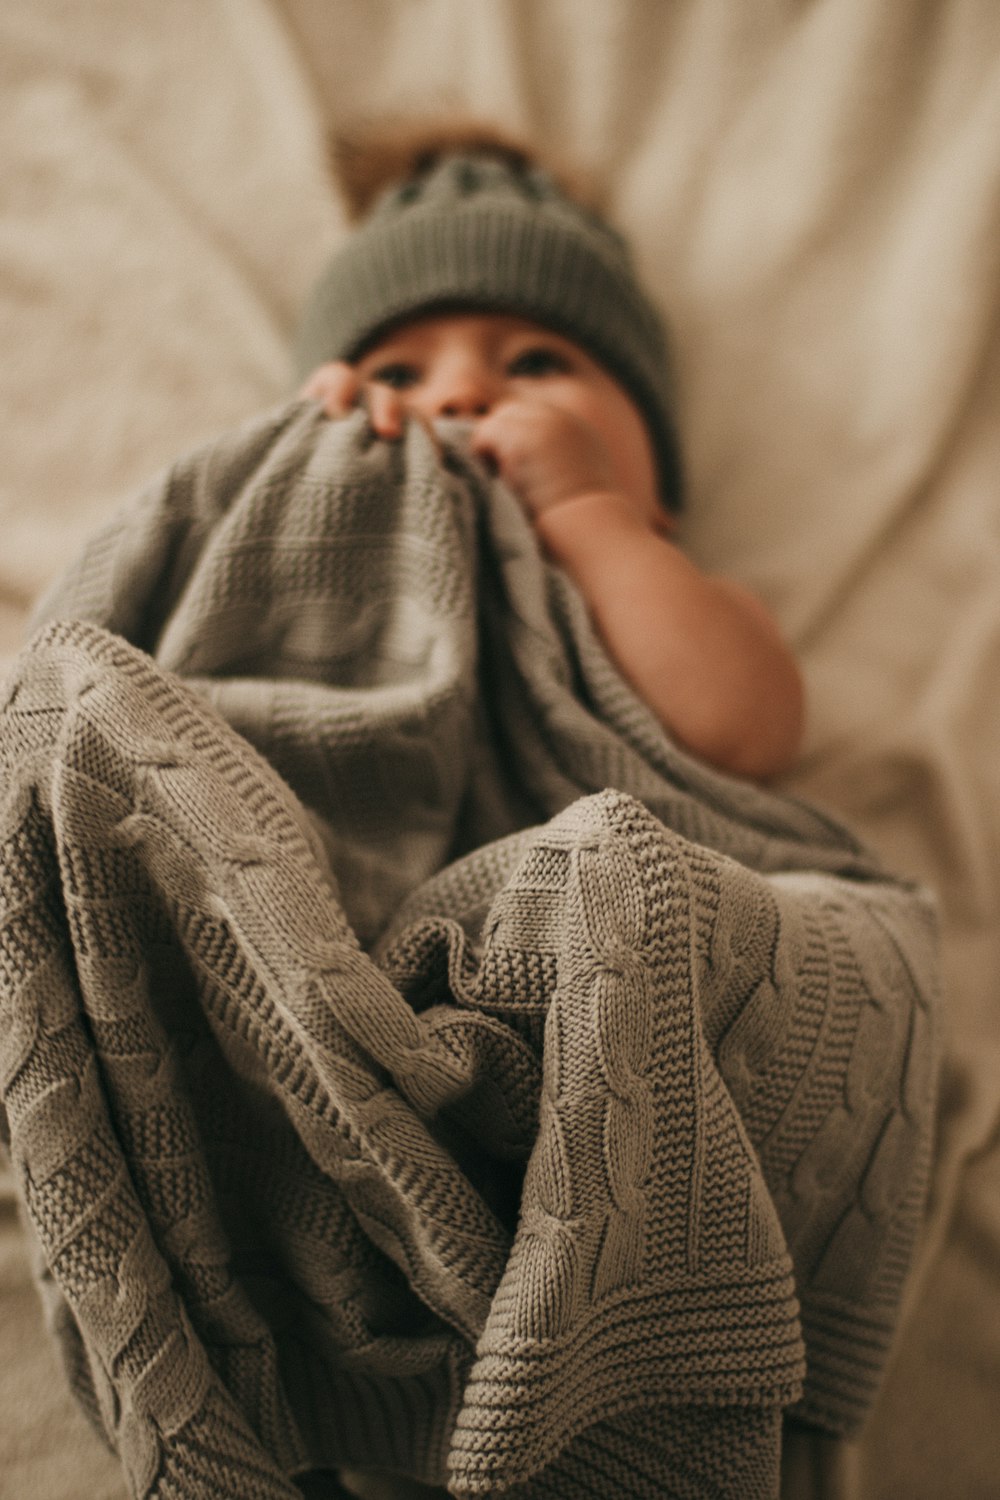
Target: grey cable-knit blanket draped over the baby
<point x="412" y="1061"/>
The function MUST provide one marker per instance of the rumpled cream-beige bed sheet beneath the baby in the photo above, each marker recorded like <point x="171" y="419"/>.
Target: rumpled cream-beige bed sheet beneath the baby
<point x="815" y="196"/>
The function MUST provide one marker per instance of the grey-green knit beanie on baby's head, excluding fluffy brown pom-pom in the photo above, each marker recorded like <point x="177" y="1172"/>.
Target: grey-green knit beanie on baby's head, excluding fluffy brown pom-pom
<point x="479" y="232"/>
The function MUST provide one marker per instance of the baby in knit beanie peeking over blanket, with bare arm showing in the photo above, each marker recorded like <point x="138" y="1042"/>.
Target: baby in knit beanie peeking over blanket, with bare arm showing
<point x="479" y="289"/>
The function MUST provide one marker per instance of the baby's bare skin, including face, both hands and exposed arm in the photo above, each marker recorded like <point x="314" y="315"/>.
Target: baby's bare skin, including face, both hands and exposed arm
<point x="567" y="439"/>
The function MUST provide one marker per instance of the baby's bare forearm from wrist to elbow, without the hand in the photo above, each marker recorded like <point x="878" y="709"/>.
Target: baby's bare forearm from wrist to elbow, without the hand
<point x="701" y="652"/>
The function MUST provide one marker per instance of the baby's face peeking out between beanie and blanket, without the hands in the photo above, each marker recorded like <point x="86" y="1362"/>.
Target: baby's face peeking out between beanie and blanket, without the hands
<point x="466" y="365"/>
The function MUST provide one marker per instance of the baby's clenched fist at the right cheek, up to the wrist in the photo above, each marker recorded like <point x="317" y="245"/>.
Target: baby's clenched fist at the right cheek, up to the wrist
<point x="545" y="454"/>
